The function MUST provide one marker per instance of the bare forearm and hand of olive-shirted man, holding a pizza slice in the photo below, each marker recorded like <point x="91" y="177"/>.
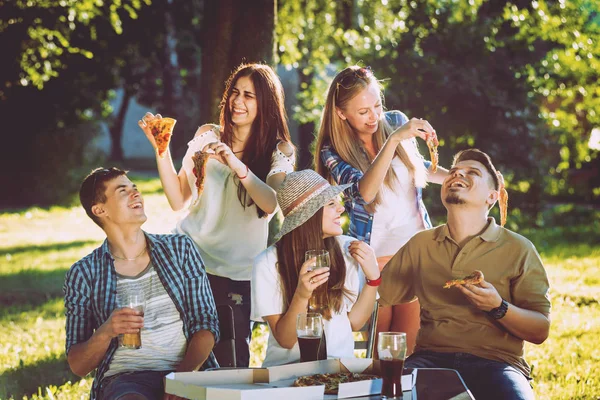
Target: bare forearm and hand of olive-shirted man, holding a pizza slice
<point x="528" y="325"/>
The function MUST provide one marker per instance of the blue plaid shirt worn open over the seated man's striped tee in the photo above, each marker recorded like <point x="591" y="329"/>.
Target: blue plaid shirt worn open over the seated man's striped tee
<point x="91" y="288"/>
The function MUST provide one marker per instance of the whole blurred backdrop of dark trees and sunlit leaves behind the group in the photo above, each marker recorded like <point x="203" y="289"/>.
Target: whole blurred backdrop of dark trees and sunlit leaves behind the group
<point x="516" y="79"/>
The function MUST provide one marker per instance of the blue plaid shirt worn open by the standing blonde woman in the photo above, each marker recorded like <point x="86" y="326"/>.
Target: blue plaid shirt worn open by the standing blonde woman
<point x="361" y="221"/>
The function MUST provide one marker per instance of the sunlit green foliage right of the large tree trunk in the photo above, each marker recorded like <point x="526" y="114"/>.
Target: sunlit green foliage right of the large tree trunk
<point x="518" y="80"/>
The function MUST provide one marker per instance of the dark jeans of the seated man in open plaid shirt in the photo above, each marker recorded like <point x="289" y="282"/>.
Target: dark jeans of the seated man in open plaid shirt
<point x="135" y="385"/>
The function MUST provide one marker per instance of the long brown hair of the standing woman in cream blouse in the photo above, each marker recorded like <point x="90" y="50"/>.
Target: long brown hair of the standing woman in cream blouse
<point x="269" y="127"/>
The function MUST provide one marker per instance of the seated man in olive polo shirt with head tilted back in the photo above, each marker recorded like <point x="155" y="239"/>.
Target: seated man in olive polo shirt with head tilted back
<point x="478" y="330"/>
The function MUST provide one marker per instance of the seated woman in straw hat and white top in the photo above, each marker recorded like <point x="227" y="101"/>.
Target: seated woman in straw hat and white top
<point x="283" y="282"/>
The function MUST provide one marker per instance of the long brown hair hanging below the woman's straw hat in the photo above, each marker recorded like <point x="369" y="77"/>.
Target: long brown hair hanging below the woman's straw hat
<point x="290" y="257"/>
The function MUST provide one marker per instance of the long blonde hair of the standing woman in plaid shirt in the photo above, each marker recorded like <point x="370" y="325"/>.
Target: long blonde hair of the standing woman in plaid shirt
<point x="341" y="136"/>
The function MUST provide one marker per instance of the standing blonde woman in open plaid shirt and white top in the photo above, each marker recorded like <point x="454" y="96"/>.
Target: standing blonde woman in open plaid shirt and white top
<point x="376" y="153"/>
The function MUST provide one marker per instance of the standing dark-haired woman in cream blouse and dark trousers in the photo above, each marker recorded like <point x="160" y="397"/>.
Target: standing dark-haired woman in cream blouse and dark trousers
<point x="250" y="152"/>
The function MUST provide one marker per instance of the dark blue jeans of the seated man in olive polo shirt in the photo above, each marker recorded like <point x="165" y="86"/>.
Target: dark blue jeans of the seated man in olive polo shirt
<point x="486" y="379"/>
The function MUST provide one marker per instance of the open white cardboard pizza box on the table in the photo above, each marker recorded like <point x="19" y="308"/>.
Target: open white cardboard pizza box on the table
<point x="275" y="383"/>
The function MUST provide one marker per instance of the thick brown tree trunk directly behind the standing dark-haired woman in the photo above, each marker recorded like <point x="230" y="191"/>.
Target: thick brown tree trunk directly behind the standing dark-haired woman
<point x="234" y="31"/>
